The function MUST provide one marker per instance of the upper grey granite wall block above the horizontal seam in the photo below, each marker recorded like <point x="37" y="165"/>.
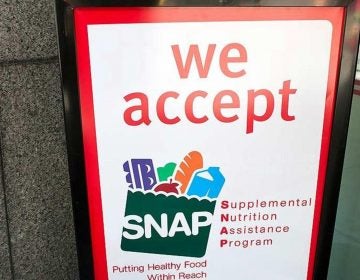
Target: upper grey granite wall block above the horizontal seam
<point x="27" y="29"/>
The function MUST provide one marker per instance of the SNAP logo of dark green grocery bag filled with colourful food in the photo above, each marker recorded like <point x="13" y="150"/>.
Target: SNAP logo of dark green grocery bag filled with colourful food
<point x="169" y="209"/>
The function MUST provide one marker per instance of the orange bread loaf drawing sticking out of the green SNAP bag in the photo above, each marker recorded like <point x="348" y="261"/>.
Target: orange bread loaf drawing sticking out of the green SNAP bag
<point x="191" y="162"/>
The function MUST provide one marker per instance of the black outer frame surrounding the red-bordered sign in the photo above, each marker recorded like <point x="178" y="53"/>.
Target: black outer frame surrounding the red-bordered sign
<point x="65" y="27"/>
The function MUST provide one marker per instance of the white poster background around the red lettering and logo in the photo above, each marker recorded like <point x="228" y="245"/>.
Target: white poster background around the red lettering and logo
<point x="279" y="160"/>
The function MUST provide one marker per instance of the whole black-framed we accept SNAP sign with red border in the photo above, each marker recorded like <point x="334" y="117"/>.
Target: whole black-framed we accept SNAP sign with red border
<point x="205" y="142"/>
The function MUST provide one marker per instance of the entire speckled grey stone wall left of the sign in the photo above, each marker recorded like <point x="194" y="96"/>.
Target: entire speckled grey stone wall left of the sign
<point x="35" y="185"/>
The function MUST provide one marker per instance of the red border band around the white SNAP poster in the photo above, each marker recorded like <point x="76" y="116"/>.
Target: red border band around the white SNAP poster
<point x="86" y="16"/>
